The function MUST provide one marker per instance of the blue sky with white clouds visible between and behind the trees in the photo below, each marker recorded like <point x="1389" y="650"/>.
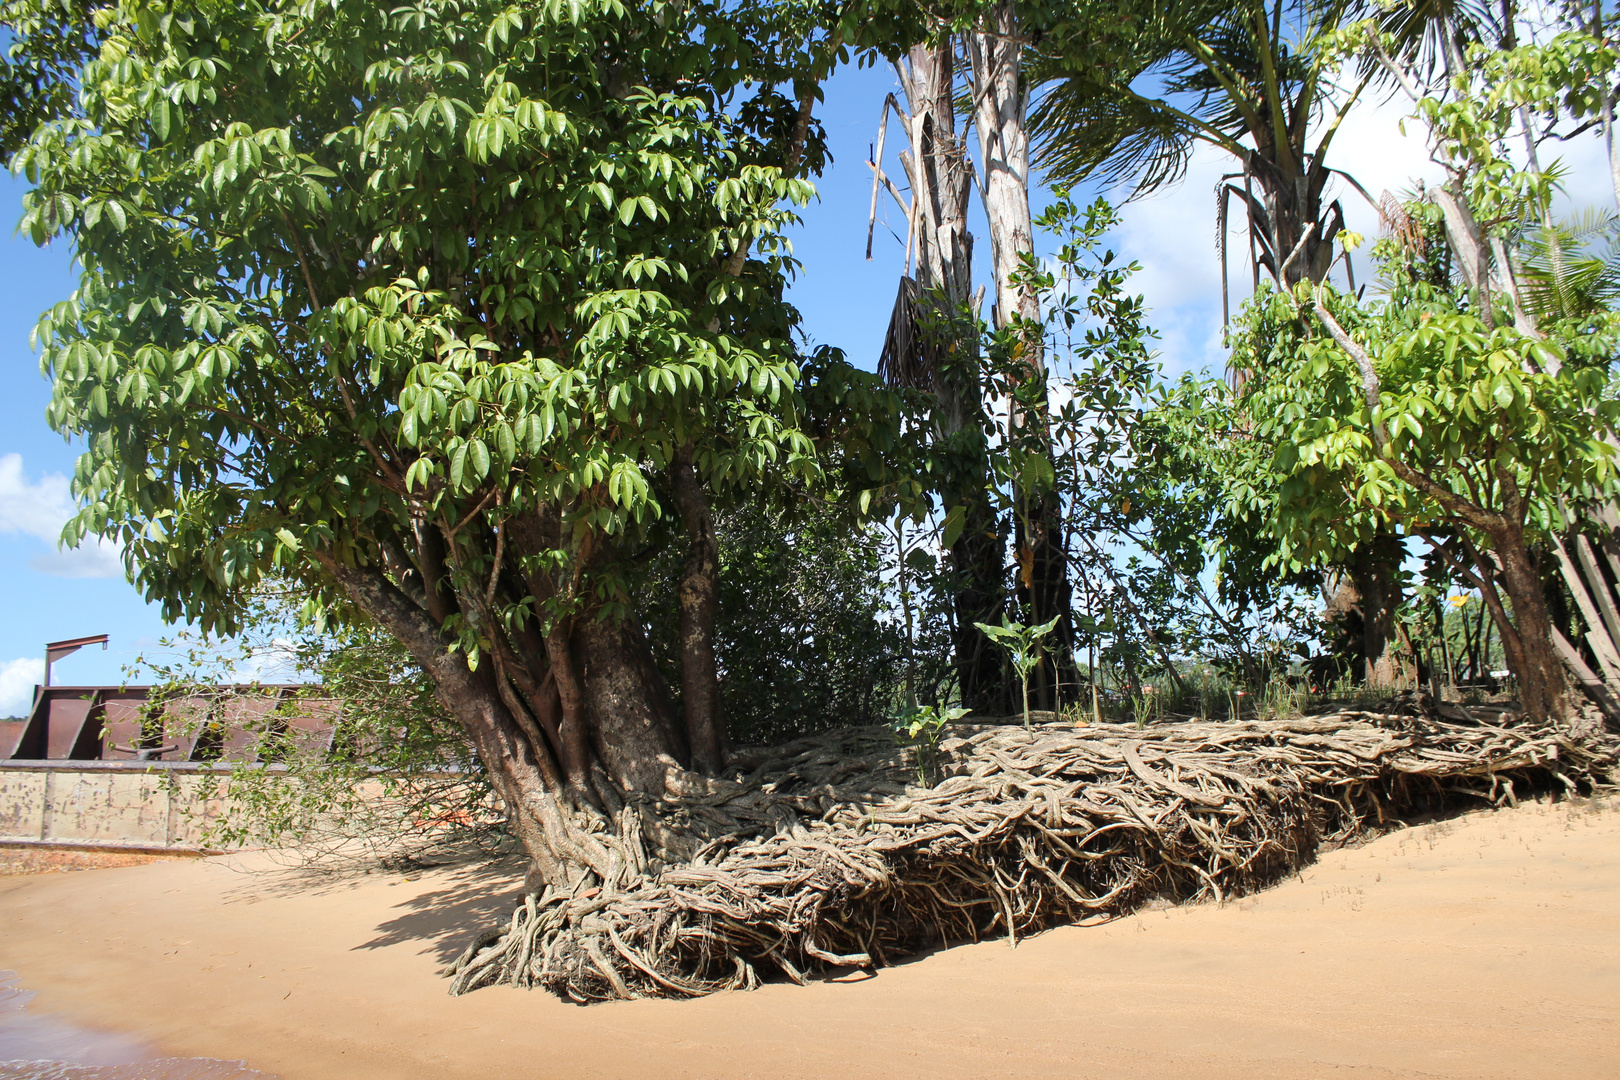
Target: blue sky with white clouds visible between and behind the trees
<point x="845" y="299"/>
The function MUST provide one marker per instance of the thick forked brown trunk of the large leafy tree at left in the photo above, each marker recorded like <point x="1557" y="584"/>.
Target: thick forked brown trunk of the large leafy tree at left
<point x="574" y="729"/>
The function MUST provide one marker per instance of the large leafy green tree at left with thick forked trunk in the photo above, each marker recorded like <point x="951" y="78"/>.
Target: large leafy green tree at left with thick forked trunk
<point x="433" y="310"/>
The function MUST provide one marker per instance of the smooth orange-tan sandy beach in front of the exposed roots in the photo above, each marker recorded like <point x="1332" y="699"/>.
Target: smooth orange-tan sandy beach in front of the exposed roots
<point x="1486" y="946"/>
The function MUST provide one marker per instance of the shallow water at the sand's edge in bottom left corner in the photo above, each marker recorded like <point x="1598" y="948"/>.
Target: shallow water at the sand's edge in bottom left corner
<point x="43" y="1048"/>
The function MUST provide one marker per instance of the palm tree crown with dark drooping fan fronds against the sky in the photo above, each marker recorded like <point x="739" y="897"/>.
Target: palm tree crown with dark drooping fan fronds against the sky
<point x="1247" y="77"/>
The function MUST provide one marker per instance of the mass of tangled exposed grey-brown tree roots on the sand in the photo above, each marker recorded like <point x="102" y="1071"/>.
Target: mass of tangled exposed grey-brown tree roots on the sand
<point x="830" y="854"/>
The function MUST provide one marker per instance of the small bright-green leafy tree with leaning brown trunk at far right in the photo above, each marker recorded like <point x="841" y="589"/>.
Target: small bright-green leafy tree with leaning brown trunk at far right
<point x="1478" y="440"/>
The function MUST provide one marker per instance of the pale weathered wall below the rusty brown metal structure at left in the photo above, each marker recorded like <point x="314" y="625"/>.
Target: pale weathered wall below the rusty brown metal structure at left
<point x="132" y="806"/>
